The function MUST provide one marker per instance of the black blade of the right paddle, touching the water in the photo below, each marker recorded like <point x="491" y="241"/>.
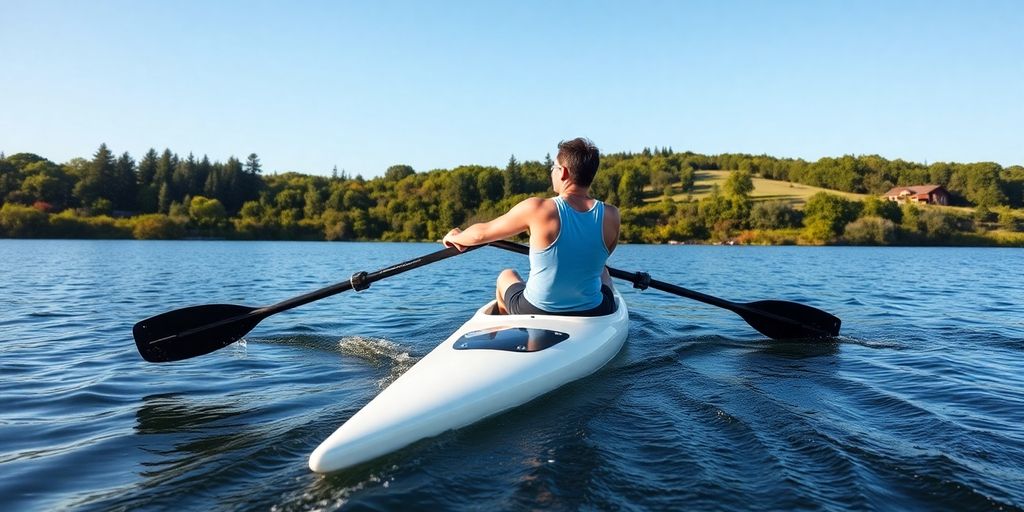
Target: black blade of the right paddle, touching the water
<point x="782" y="320"/>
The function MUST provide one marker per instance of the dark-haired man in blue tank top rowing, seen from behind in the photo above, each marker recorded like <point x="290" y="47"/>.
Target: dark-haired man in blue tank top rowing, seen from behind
<point x="571" y="239"/>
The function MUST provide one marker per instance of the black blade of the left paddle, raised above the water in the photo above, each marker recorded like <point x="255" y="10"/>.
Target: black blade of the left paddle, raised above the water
<point x="193" y="331"/>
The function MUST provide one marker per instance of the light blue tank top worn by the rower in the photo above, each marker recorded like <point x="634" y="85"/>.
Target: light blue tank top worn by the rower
<point x="567" y="276"/>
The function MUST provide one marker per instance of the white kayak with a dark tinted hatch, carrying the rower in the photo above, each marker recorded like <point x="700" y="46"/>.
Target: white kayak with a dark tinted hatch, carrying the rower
<point x="492" y="364"/>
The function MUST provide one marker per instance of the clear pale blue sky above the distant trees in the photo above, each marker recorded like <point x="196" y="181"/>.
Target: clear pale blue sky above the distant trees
<point x="364" y="86"/>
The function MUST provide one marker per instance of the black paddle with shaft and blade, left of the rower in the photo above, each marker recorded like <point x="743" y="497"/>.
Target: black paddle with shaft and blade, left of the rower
<point x="199" y="330"/>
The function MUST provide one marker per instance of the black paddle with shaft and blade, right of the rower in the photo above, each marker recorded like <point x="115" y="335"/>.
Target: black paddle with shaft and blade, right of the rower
<point x="776" y="319"/>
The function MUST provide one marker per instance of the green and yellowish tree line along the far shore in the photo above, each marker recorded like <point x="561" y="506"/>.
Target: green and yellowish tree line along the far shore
<point x="164" y="196"/>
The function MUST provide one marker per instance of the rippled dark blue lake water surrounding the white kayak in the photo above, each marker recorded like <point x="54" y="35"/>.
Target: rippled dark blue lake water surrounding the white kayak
<point x="919" y="406"/>
